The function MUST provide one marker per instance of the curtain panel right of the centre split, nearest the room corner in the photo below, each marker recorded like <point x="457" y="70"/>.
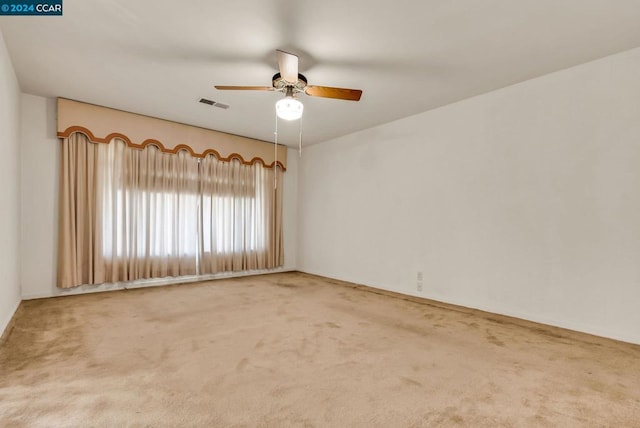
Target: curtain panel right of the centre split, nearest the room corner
<point x="238" y="211"/>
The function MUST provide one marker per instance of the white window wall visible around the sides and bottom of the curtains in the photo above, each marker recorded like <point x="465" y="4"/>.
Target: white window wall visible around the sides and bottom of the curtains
<point x="40" y="160"/>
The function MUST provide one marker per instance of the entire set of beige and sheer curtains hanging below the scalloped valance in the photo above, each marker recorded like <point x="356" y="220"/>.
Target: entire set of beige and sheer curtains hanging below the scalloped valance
<point x="129" y="214"/>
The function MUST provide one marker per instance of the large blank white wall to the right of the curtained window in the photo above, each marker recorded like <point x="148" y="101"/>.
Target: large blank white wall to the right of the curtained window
<point x="524" y="201"/>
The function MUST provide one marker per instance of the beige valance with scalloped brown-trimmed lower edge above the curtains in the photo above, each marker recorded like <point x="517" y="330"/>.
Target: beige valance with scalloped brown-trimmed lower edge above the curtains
<point x="102" y="124"/>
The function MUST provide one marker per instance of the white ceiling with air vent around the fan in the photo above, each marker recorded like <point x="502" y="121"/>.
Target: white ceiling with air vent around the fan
<point x="408" y="56"/>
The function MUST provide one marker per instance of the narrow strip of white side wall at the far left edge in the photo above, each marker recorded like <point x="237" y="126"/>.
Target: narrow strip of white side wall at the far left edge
<point x="10" y="188"/>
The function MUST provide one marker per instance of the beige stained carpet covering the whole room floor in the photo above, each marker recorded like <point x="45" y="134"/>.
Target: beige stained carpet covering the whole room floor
<point x="299" y="350"/>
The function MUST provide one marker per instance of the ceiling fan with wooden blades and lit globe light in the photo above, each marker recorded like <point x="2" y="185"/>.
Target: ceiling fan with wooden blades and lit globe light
<point x="292" y="83"/>
